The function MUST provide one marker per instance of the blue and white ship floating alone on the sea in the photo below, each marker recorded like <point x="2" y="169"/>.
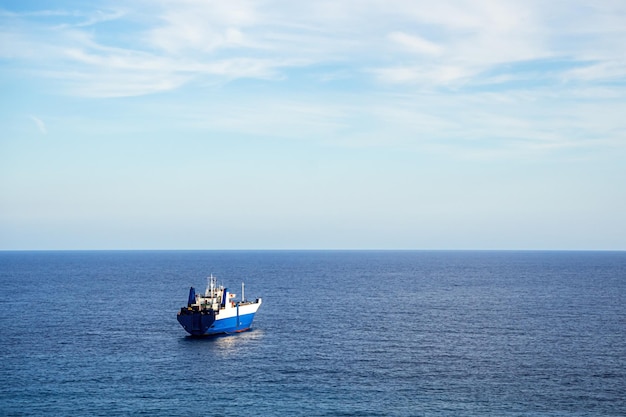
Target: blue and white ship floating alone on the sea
<point x="216" y="311"/>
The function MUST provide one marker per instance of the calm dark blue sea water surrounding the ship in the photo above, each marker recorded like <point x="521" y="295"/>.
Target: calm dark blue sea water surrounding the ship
<point x="339" y="334"/>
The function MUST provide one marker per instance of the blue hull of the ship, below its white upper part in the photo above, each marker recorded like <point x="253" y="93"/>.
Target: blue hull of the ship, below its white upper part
<point x="198" y="324"/>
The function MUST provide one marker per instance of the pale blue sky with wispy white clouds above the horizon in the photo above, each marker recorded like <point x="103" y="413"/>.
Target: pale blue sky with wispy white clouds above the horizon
<point x="274" y="124"/>
